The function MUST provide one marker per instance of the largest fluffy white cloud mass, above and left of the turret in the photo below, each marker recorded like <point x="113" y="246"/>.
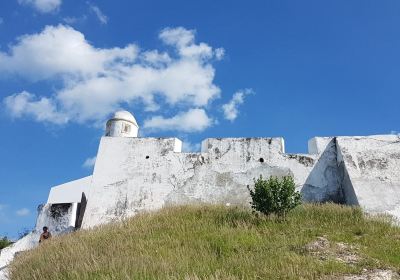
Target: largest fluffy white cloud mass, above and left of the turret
<point x="96" y="81"/>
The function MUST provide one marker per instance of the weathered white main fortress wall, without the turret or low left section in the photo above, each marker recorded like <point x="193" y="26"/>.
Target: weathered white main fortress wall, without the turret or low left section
<point x="133" y="175"/>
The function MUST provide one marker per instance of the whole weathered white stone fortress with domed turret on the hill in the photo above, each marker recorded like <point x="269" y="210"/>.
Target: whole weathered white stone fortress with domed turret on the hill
<point x="134" y="174"/>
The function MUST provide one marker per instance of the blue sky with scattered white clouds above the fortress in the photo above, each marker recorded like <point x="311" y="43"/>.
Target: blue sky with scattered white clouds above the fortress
<point x="192" y="69"/>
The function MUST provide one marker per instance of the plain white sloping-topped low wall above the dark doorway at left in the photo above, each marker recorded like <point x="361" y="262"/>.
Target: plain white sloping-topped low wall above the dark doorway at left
<point x="69" y="192"/>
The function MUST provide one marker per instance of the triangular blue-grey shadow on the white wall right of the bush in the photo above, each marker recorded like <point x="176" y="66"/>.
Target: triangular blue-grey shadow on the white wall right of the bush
<point x="324" y="183"/>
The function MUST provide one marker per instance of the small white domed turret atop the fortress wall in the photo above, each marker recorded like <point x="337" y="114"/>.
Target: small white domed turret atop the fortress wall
<point x="122" y="124"/>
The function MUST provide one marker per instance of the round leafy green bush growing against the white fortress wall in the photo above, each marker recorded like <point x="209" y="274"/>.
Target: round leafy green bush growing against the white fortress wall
<point x="274" y="196"/>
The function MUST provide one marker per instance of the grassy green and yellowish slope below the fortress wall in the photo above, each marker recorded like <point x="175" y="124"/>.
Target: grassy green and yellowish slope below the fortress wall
<point x="214" y="242"/>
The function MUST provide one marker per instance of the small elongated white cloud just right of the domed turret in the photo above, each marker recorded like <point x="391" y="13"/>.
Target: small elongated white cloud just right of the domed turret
<point x="191" y="121"/>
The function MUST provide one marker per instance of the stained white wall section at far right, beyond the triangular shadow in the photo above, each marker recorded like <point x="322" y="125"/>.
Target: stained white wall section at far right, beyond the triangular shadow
<point x="371" y="172"/>
